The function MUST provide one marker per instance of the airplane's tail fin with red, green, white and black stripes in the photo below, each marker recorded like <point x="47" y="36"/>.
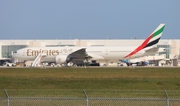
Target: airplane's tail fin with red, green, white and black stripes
<point x="152" y="39"/>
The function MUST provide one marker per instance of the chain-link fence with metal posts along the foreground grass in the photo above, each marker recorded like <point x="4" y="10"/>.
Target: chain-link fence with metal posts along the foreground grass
<point x="93" y="98"/>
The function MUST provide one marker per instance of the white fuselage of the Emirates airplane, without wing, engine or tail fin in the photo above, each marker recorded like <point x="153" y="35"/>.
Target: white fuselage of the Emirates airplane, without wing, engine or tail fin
<point x="98" y="53"/>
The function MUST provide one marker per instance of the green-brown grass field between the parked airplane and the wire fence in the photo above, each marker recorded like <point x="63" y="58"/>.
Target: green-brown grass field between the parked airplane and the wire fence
<point x="34" y="80"/>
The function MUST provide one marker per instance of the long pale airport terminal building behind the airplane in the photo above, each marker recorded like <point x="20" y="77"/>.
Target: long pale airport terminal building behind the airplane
<point x="8" y="46"/>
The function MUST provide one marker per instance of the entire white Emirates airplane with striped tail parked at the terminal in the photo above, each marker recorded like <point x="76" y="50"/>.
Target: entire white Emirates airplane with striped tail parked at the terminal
<point x="64" y="55"/>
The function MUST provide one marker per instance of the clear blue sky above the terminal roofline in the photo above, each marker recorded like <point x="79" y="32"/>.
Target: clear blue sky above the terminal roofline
<point x="88" y="19"/>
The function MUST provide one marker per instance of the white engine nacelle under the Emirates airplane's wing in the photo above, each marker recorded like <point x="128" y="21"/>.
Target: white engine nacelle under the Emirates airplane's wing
<point x="61" y="59"/>
